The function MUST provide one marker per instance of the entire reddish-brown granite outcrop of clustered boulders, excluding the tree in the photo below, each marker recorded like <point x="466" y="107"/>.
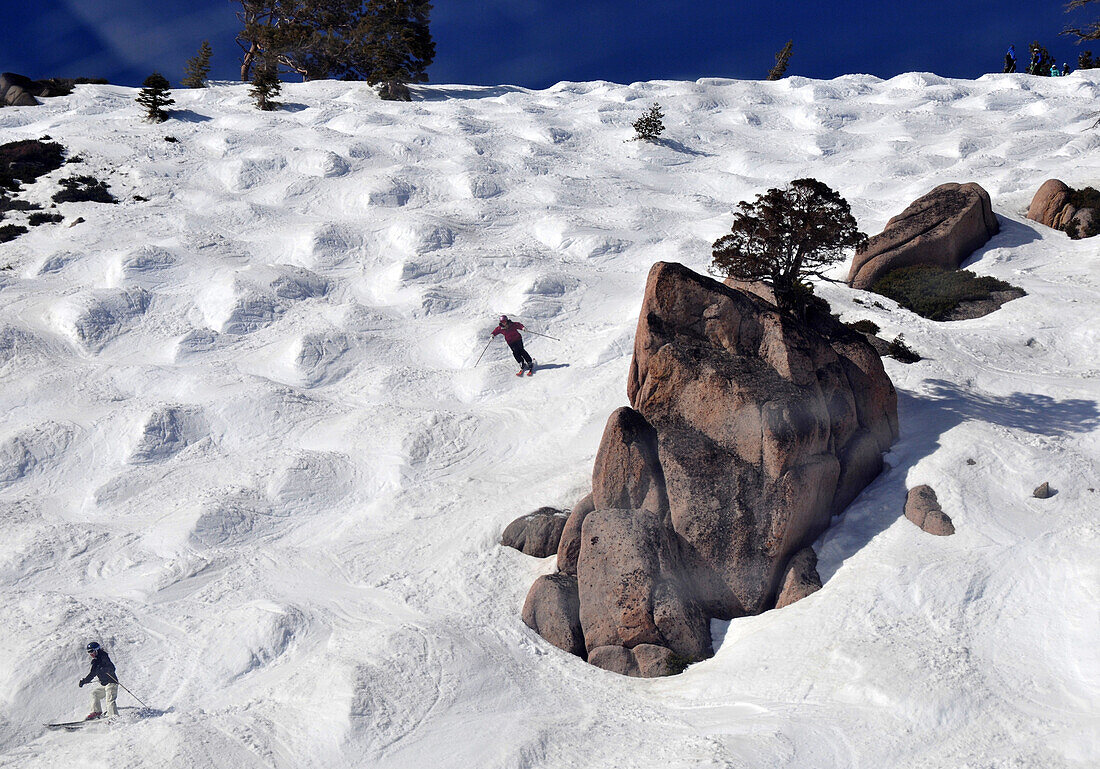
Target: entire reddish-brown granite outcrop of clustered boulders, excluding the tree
<point x="746" y="434"/>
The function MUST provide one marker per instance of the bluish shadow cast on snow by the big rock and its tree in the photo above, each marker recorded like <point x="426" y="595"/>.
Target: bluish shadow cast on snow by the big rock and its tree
<point x="926" y="419"/>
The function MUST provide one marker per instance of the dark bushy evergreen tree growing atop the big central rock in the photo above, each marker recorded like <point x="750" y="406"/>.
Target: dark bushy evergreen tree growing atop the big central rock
<point x="786" y="237"/>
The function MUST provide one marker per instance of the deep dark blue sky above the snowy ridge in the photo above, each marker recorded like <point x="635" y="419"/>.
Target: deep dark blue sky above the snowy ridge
<point x="537" y="43"/>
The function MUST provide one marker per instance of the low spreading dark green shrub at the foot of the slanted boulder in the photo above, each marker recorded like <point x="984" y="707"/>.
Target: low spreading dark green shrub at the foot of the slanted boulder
<point x="936" y="293"/>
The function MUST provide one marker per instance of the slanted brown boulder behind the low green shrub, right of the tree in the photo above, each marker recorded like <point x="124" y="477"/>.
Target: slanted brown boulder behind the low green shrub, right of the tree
<point x="940" y="229"/>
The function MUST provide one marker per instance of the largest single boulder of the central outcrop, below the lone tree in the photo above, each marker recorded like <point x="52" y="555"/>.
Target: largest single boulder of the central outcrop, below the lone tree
<point x="758" y="420"/>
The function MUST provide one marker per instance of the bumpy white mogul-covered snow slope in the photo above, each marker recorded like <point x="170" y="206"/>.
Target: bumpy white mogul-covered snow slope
<point x="244" y="443"/>
